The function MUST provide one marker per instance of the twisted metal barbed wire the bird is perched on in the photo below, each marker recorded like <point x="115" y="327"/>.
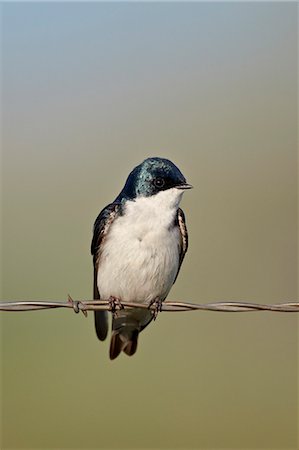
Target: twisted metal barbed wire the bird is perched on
<point x="114" y="306"/>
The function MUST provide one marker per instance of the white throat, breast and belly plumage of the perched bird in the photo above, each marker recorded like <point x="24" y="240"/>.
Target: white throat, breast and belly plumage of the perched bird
<point x="140" y="256"/>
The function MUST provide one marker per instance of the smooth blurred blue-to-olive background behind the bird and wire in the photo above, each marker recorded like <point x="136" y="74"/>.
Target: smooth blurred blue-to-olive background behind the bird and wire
<point x="89" y="90"/>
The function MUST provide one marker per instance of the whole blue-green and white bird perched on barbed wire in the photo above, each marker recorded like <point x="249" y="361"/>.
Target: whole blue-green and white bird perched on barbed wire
<point x="138" y="246"/>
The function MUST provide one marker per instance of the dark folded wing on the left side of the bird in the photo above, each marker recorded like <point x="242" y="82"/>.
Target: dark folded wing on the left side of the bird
<point x="100" y="230"/>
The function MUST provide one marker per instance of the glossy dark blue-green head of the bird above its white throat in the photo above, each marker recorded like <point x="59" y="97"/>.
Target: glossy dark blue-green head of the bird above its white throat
<point x="152" y="176"/>
